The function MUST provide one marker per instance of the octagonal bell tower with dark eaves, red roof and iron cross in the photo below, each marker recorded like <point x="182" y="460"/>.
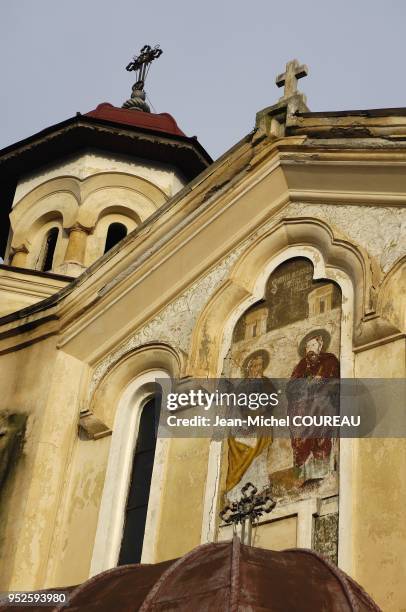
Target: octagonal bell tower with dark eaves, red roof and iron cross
<point x="78" y="188"/>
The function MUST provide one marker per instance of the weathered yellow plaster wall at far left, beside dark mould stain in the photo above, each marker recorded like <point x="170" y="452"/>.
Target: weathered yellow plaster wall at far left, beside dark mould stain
<point x="30" y="501"/>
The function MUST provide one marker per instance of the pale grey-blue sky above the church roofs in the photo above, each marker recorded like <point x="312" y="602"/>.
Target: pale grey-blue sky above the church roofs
<point x="219" y="64"/>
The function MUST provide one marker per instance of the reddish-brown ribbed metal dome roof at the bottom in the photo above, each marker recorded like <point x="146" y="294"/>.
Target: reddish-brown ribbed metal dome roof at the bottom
<point x="224" y="577"/>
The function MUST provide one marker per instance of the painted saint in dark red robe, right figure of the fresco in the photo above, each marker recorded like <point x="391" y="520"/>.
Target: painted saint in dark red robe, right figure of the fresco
<point x="313" y="390"/>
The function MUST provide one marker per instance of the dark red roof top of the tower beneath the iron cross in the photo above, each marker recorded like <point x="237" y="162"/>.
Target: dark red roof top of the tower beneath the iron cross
<point x="162" y="122"/>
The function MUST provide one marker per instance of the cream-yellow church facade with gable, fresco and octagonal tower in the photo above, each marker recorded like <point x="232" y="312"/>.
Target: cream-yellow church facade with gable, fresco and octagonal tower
<point x="129" y="256"/>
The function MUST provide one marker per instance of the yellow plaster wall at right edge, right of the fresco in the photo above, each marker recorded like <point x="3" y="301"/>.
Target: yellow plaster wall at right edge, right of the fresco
<point x="379" y="499"/>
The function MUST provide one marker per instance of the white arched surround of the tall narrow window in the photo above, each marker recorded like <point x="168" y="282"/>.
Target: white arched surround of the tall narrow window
<point x="120" y="474"/>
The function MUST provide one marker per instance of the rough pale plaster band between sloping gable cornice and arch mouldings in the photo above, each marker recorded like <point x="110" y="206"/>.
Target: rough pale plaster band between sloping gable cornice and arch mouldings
<point x="381" y="231"/>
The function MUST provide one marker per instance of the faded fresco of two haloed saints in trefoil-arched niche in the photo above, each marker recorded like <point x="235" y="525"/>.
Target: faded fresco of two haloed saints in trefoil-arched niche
<point x="292" y="333"/>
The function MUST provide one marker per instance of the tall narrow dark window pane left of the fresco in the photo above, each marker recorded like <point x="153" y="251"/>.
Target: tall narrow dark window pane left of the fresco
<point x="140" y="484"/>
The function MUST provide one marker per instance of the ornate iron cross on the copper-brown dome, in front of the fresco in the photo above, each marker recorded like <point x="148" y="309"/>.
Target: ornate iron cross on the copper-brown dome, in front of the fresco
<point x="248" y="509"/>
